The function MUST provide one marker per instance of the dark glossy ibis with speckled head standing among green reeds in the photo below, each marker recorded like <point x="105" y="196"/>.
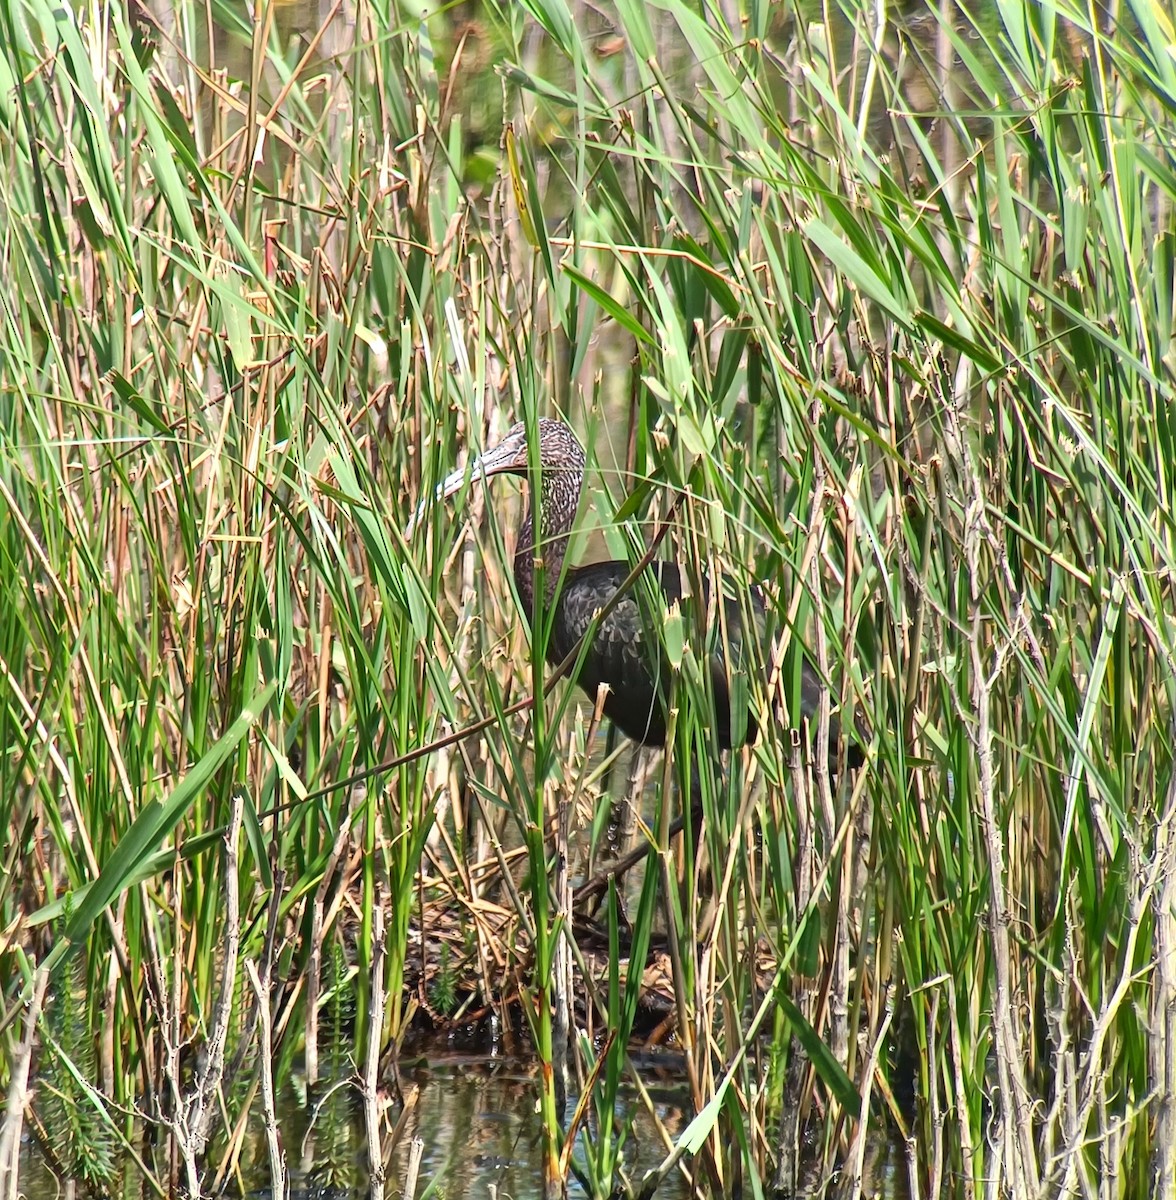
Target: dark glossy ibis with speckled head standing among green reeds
<point x="622" y="656"/>
